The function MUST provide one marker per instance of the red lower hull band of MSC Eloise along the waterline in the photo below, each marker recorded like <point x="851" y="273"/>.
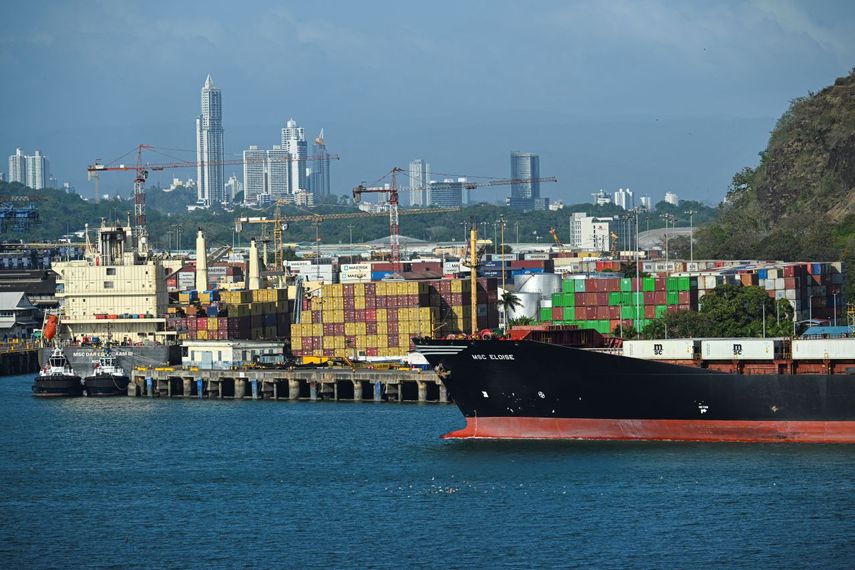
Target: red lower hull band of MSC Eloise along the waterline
<point x="802" y="431"/>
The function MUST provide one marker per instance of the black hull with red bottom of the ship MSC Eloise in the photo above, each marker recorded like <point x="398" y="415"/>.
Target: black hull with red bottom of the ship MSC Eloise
<point x="539" y="390"/>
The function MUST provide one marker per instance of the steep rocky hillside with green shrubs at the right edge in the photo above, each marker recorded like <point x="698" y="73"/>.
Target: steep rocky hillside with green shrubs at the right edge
<point x="799" y="202"/>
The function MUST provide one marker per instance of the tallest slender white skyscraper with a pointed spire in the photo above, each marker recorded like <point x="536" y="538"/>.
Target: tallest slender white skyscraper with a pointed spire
<point x="210" y="188"/>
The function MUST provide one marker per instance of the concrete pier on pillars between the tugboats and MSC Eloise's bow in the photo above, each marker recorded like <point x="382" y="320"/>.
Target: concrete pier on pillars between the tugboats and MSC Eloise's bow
<point x="313" y="384"/>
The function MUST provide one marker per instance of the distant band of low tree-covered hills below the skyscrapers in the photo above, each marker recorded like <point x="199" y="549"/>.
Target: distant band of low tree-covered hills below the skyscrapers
<point x="60" y="213"/>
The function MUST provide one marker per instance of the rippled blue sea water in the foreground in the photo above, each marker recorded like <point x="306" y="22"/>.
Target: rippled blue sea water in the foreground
<point x="130" y="483"/>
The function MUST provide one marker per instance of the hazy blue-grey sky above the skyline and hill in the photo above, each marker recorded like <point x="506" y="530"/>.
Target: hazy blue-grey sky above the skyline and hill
<point x="654" y="95"/>
